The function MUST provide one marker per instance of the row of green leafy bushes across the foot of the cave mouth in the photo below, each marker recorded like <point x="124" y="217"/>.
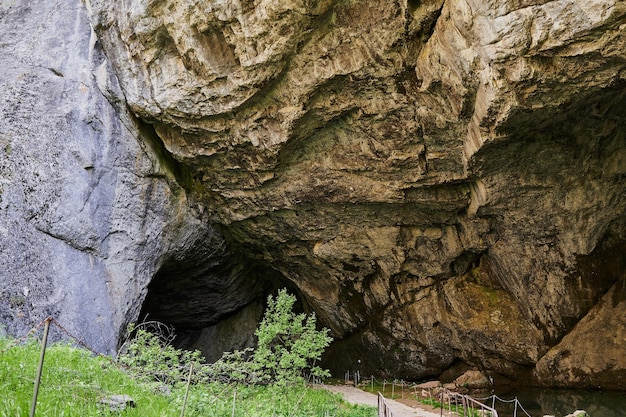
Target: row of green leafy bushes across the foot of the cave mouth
<point x="289" y="345"/>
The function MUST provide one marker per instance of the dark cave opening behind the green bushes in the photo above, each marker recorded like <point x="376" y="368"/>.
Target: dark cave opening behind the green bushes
<point x="214" y="305"/>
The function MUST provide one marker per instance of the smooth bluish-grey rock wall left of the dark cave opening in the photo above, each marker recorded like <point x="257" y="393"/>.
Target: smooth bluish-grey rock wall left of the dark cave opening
<point x="90" y="206"/>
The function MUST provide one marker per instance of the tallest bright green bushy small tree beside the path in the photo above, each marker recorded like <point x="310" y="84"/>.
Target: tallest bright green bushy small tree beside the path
<point x="289" y="344"/>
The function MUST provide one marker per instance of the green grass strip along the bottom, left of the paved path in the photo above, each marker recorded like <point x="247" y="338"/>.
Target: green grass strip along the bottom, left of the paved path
<point x="74" y="380"/>
